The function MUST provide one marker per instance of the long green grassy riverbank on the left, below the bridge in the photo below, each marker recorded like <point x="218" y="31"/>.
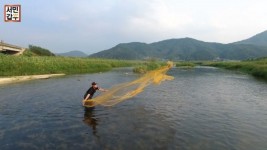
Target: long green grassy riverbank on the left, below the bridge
<point x="23" y="65"/>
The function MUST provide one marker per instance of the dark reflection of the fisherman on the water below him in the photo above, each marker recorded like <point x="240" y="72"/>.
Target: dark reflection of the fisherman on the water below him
<point x="90" y="118"/>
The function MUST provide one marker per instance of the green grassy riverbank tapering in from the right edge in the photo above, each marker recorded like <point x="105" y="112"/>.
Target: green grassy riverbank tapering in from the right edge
<point x="257" y="67"/>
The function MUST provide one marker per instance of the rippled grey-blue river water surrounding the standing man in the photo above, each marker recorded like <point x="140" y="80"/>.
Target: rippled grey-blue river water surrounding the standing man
<point x="202" y="108"/>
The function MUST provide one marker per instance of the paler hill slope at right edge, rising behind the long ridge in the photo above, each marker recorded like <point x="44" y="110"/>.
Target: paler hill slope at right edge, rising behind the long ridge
<point x="259" y="39"/>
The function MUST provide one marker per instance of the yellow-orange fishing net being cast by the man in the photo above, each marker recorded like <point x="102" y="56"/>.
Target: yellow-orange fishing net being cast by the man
<point x="127" y="90"/>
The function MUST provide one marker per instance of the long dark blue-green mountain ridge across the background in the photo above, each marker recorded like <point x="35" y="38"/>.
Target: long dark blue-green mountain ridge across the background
<point x="183" y="49"/>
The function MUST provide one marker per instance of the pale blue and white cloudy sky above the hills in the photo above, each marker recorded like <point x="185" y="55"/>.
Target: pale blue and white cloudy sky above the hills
<point x="95" y="25"/>
